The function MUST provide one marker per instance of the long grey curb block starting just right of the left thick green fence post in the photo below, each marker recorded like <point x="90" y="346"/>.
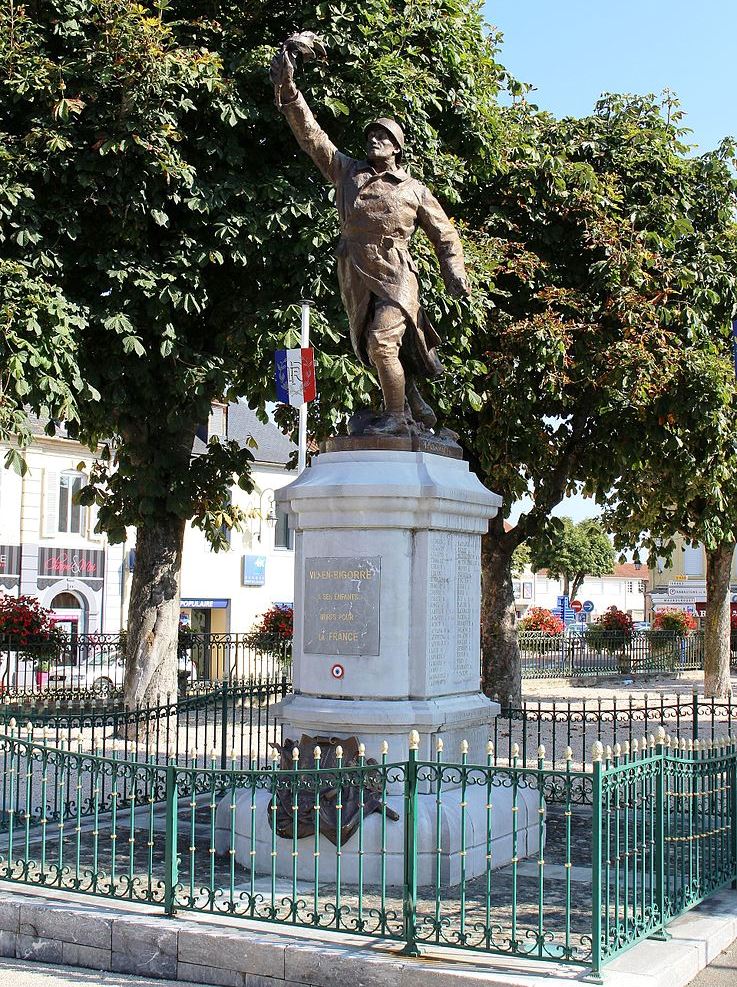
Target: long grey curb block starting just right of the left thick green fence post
<point x="238" y="951"/>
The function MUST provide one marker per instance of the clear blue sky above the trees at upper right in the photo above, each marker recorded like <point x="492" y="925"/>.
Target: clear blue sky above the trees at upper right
<point x="573" y="50"/>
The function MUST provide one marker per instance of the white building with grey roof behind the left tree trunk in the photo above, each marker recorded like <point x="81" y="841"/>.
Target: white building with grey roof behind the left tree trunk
<point x="49" y="549"/>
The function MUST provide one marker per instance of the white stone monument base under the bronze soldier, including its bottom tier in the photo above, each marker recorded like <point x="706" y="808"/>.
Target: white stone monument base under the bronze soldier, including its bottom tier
<point x="386" y="641"/>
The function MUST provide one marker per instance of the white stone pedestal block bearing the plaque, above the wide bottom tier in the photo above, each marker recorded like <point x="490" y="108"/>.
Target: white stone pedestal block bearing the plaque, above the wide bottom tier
<point x="387" y="601"/>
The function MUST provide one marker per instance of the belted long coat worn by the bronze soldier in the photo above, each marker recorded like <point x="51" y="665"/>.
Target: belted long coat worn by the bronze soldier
<point x="378" y="214"/>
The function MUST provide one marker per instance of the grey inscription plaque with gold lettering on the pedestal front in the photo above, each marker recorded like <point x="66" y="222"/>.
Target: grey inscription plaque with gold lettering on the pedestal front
<point x="341" y="608"/>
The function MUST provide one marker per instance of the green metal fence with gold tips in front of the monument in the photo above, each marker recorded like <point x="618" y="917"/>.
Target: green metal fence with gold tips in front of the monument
<point x="559" y="864"/>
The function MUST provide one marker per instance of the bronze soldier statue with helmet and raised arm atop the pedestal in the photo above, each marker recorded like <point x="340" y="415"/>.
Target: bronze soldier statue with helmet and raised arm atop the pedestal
<point x="380" y="206"/>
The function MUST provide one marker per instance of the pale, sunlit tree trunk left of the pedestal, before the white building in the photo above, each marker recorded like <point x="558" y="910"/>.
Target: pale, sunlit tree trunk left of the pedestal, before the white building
<point x="153" y="614"/>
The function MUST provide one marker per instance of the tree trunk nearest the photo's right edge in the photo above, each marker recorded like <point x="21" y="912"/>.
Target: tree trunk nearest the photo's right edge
<point x="717" y="629"/>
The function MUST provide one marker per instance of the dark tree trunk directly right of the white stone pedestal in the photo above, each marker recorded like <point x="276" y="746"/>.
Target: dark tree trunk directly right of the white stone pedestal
<point x="500" y="677"/>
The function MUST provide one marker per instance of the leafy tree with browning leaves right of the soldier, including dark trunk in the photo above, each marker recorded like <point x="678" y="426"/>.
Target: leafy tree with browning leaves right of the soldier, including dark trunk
<point x="605" y="265"/>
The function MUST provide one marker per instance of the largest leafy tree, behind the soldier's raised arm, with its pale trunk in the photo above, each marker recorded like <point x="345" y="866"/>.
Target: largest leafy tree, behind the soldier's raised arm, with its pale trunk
<point x="148" y="180"/>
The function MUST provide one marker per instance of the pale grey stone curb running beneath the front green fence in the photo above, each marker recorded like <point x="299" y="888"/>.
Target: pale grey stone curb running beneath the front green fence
<point x="111" y="936"/>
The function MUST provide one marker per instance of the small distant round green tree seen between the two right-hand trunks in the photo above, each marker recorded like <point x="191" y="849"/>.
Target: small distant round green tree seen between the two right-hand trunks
<point x="574" y="551"/>
